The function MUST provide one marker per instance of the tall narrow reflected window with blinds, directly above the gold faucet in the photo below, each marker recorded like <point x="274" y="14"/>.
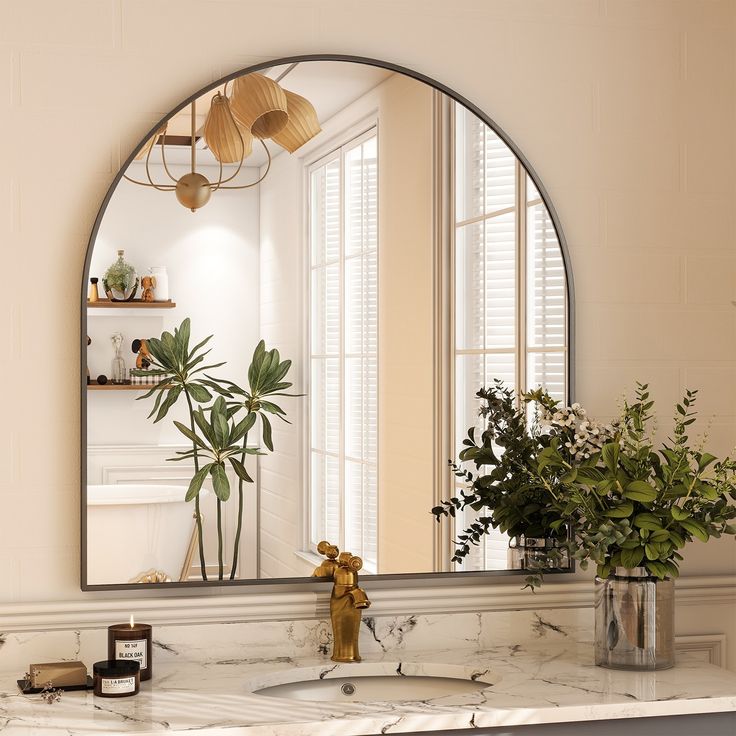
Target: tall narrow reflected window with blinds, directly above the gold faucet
<point x="343" y="327"/>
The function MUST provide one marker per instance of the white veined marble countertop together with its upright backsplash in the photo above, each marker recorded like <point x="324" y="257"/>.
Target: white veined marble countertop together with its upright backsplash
<point x="540" y="666"/>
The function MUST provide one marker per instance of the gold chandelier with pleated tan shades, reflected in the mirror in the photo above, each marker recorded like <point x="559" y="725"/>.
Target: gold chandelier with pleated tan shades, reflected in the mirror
<point x="257" y="108"/>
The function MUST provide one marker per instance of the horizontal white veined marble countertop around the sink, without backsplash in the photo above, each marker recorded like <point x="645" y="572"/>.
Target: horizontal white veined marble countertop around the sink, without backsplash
<point x="541" y="681"/>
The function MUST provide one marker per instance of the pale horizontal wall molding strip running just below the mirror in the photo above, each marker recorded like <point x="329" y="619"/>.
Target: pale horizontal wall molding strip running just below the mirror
<point x="393" y="598"/>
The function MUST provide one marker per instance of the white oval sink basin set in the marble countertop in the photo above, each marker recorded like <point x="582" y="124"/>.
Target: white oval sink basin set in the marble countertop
<point x="373" y="682"/>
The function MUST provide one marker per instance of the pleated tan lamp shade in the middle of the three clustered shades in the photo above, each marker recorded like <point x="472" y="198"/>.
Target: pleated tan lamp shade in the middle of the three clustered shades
<point x="259" y="105"/>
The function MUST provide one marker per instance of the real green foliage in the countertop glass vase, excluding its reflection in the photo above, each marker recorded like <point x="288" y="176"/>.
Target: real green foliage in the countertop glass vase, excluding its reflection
<point x="633" y="504"/>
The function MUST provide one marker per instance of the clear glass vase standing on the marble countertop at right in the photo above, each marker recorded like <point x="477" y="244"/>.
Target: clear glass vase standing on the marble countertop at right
<point x="634" y="621"/>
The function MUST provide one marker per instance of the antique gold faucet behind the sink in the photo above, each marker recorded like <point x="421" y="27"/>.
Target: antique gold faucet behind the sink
<point x="346" y="602"/>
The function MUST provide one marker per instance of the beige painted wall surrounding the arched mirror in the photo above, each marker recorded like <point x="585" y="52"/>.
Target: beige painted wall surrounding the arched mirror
<point x="626" y="109"/>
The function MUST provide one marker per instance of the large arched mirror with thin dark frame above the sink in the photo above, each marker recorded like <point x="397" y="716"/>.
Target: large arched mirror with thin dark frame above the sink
<point x="292" y="293"/>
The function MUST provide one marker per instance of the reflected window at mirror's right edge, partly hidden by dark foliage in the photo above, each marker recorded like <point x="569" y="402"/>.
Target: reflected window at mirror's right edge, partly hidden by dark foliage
<point x="509" y="316"/>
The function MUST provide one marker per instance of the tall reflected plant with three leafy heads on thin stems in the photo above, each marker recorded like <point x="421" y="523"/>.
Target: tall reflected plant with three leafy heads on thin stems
<point x="218" y="434"/>
